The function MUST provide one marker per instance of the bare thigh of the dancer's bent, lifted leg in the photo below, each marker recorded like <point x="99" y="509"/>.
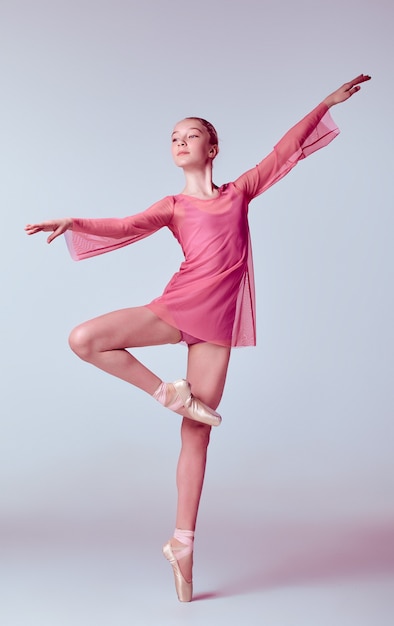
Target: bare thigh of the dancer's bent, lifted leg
<point x="126" y="328"/>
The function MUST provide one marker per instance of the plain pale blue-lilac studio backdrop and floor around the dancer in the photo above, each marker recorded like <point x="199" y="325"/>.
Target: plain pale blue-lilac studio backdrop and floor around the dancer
<point x="296" y="524"/>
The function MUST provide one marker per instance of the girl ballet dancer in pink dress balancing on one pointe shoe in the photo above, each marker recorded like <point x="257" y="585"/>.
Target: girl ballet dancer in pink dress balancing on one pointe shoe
<point x="208" y="304"/>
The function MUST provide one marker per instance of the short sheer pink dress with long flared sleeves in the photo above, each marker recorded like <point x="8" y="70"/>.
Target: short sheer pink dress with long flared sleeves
<point x="211" y="297"/>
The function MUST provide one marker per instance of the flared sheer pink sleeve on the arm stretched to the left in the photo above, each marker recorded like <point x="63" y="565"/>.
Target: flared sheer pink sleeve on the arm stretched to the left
<point x="91" y="237"/>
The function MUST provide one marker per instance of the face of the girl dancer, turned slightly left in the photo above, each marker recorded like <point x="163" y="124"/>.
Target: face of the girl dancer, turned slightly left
<point x="191" y="144"/>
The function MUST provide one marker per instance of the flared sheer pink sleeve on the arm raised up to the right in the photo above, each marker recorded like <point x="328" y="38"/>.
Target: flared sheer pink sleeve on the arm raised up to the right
<point x="314" y="131"/>
